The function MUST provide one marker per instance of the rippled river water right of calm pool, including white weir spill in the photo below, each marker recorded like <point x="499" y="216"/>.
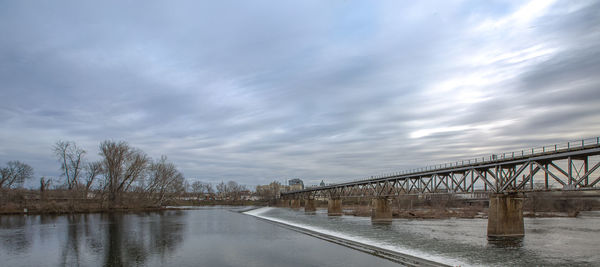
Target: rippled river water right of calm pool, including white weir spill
<point x="547" y="241"/>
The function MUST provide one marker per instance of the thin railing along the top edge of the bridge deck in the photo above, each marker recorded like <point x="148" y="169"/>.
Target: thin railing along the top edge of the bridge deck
<point x="534" y="151"/>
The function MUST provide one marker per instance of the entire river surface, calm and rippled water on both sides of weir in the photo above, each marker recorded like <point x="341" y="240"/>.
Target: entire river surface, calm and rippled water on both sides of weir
<point x="221" y="236"/>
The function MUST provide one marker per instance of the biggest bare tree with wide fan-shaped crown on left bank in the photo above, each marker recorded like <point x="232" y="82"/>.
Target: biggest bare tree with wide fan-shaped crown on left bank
<point x="122" y="166"/>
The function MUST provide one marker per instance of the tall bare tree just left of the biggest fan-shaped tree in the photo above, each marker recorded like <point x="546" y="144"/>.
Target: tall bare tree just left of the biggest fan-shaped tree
<point x="71" y="159"/>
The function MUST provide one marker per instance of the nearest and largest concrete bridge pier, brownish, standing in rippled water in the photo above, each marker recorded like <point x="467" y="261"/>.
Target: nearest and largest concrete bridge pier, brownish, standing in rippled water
<point x="505" y="216"/>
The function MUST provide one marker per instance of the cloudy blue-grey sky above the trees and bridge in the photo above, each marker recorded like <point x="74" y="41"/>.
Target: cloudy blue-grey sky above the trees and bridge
<point x="256" y="91"/>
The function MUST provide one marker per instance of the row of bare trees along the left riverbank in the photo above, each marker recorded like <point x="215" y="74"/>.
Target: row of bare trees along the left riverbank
<point x="124" y="174"/>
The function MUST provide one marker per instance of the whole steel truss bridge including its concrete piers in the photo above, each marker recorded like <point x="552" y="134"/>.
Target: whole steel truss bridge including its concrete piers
<point x="504" y="177"/>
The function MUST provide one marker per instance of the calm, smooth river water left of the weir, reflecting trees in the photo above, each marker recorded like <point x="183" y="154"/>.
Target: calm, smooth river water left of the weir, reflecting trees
<point x="201" y="237"/>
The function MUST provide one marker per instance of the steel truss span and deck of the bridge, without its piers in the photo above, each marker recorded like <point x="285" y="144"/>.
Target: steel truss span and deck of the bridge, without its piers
<point x="569" y="166"/>
